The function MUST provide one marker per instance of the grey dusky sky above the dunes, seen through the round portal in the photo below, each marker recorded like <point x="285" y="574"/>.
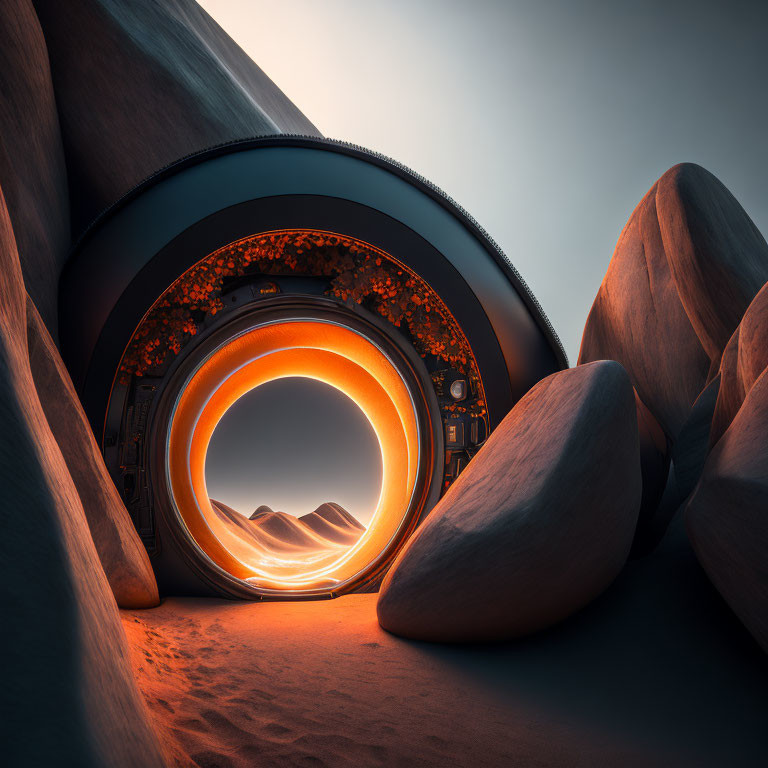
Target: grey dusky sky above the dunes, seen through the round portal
<point x="292" y="444"/>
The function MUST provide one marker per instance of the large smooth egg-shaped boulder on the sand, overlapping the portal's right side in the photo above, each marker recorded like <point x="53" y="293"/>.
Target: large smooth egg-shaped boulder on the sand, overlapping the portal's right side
<point x="539" y="523"/>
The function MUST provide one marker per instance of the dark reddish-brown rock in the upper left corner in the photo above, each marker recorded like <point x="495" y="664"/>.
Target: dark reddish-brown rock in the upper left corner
<point x="32" y="171"/>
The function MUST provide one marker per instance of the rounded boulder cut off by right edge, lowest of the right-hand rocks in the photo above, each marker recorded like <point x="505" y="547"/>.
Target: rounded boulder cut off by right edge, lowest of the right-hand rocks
<point x="727" y="517"/>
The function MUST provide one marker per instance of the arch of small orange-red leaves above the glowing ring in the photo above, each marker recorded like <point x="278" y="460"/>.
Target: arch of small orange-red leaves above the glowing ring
<point x="357" y="272"/>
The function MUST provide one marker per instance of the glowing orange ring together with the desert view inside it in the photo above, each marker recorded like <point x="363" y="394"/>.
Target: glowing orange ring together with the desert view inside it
<point x="303" y="376"/>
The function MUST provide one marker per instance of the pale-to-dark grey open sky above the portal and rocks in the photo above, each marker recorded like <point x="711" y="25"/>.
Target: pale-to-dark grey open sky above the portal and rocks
<point x="547" y="121"/>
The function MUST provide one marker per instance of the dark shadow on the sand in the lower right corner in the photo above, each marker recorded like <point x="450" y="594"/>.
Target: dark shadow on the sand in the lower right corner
<point x="659" y="661"/>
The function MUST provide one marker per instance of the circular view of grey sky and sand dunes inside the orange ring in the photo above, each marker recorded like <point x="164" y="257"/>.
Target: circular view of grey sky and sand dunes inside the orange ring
<point x="294" y="469"/>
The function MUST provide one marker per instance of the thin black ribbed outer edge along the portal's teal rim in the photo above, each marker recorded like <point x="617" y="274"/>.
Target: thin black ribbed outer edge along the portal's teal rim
<point x="388" y="163"/>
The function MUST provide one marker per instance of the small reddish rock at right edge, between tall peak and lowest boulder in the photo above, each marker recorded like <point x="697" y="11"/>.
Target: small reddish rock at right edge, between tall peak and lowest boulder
<point x="744" y="359"/>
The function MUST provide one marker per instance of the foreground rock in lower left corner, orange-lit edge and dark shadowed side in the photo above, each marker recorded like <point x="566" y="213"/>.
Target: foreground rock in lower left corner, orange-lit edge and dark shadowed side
<point x="62" y="644"/>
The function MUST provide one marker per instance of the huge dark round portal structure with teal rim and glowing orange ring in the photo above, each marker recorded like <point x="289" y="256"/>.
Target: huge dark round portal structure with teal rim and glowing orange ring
<point x="291" y="257"/>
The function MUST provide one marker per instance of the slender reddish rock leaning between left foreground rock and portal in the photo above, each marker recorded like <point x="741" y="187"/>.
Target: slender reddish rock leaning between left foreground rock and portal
<point x="121" y="552"/>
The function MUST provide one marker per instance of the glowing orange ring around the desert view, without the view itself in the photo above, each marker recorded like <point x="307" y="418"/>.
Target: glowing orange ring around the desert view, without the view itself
<point x="324" y="351"/>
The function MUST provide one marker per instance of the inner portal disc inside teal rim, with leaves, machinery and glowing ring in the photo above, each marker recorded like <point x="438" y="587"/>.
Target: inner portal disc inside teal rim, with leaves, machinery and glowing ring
<point x="300" y="304"/>
